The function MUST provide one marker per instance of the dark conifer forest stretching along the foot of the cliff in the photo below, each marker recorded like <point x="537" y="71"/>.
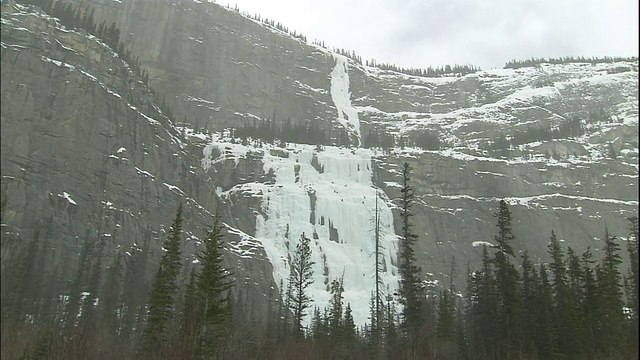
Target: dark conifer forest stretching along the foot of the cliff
<point x="110" y="306"/>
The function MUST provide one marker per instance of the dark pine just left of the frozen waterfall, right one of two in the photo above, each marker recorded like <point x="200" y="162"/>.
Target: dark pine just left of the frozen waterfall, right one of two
<point x="213" y="288"/>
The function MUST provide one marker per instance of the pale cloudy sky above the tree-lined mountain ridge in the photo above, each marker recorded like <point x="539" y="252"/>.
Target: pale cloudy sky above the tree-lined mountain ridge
<point x="422" y="33"/>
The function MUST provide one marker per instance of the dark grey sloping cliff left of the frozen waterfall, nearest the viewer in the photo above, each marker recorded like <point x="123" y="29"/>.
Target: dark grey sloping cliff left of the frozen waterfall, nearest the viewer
<point x="87" y="155"/>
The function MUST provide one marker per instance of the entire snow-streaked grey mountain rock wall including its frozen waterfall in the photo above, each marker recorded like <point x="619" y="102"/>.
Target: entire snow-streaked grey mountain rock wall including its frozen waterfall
<point x="85" y="147"/>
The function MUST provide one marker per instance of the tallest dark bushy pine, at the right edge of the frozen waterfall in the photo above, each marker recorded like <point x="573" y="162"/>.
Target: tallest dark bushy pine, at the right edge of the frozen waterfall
<point x="410" y="289"/>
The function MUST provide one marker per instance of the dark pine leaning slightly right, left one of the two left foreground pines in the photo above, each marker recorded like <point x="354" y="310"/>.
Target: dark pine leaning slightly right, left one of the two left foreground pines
<point x="163" y="290"/>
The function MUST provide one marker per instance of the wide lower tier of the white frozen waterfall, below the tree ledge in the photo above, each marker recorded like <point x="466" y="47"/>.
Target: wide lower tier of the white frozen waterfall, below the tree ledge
<point x="328" y="195"/>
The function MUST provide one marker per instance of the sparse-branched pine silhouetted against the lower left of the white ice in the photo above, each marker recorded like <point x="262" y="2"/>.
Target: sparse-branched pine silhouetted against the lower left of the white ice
<point x="300" y="278"/>
